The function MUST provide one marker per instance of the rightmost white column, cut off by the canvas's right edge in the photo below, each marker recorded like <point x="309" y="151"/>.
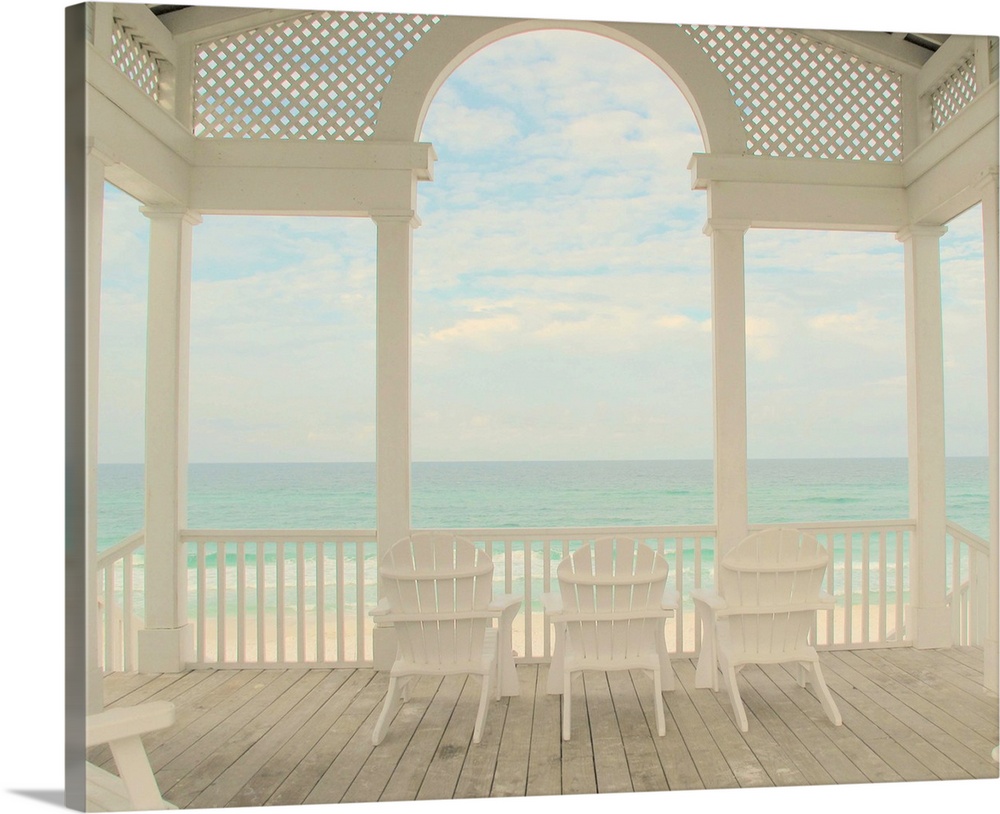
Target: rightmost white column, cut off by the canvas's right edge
<point x="991" y="256"/>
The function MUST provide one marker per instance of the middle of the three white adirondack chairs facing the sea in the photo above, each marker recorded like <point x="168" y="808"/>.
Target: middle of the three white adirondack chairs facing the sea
<point x="609" y="614"/>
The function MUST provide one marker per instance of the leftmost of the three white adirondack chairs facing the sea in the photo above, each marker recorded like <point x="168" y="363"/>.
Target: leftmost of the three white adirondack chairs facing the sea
<point x="438" y="596"/>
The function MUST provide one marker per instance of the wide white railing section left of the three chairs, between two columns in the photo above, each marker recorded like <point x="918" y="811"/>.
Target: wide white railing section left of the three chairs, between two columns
<point x="280" y="597"/>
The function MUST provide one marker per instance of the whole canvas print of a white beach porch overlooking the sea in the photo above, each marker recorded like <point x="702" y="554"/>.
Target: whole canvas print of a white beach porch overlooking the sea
<point x="477" y="406"/>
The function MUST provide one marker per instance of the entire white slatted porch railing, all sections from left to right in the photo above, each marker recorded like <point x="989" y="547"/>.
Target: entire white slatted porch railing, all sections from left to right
<point x="265" y="598"/>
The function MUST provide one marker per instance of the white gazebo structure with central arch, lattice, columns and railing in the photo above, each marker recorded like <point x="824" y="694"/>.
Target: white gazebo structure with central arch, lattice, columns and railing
<point x="826" y="130"/>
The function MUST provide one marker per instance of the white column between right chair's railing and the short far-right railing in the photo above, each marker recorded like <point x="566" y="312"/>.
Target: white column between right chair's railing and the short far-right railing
<point x="929" y="621"/>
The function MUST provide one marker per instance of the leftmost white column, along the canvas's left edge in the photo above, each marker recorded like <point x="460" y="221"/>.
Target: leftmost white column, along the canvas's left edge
<point x="96" y="163"/>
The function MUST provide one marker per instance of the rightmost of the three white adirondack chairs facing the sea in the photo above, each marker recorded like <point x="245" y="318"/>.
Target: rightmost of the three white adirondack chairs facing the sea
<point x="770" y="588"/>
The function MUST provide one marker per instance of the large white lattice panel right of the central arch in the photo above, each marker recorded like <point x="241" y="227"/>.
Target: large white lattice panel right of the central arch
<point x="803" y="98"/>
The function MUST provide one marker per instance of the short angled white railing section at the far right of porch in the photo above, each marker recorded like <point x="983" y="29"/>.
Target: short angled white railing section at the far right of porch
<point x="968" y="578"/>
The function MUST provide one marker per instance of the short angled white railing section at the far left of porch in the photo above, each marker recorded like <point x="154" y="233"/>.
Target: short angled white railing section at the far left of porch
<point x="120" y="597"/>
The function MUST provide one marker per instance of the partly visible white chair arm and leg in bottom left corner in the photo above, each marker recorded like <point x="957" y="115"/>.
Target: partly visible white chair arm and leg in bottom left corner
<point x="122" y="728"/>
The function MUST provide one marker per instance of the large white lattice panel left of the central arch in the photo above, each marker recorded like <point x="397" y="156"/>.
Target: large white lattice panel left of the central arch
<point x="320" y="76"/>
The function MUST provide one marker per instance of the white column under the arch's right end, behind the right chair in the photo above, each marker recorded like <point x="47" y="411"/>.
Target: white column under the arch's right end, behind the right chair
<point x="729" y="380"/>
